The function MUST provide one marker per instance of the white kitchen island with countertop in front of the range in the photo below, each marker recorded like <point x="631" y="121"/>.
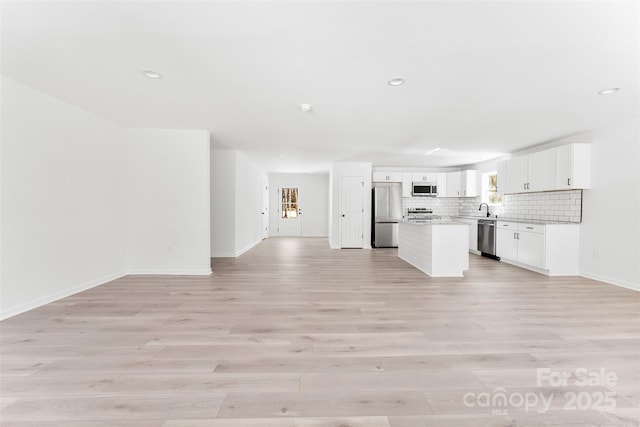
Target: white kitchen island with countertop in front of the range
<point x="439" y="248"/>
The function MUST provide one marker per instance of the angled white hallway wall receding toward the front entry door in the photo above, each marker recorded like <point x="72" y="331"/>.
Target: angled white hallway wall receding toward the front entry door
<point x="236" y="203"/>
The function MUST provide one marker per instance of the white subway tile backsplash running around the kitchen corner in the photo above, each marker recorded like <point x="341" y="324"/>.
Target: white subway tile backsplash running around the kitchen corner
<point x="562" y="206"/>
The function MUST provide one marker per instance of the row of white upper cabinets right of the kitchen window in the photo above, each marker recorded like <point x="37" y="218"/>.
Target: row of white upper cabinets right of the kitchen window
<point x="562" y="168"/>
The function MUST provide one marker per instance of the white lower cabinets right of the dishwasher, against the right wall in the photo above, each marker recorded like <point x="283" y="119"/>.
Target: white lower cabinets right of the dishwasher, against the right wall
<point x="550" y="249"/>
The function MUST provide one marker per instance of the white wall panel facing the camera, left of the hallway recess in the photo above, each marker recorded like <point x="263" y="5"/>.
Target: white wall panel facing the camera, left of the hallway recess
<point x="168" y="202"/>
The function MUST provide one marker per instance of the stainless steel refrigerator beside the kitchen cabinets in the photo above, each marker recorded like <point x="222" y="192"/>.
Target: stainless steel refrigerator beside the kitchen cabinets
<point x="387" y="211"/>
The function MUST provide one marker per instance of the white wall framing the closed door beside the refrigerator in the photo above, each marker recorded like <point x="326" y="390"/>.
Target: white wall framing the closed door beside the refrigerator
<point x="338" y="170"/>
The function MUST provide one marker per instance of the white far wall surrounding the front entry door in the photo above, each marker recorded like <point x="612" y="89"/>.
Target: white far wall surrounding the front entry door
<point x="314" y="201"/>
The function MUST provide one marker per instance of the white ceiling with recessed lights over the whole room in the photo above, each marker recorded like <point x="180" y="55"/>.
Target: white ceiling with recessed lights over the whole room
<point x="482" y="78"/>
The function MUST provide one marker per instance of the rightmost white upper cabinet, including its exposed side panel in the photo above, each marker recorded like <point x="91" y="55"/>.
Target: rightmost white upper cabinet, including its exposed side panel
<point x="572" y="167"/>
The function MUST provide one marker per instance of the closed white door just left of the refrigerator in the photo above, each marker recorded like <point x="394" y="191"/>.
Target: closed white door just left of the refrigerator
<point x="351" y="212"/>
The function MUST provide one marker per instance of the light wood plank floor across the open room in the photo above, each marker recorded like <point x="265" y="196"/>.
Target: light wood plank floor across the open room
<point x="295" y="334"/>
